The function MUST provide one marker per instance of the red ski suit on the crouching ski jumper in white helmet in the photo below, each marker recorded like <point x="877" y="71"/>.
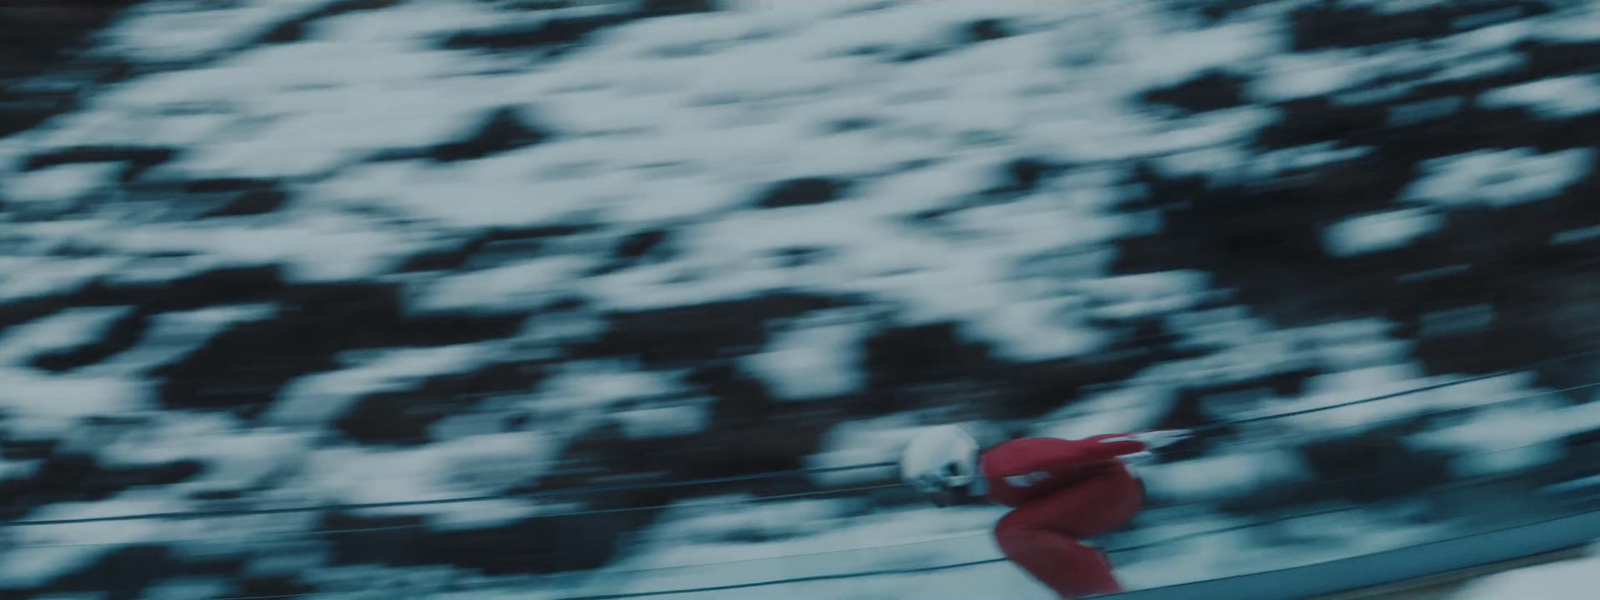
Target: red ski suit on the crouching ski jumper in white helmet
<point x="1063" y="492"/>
